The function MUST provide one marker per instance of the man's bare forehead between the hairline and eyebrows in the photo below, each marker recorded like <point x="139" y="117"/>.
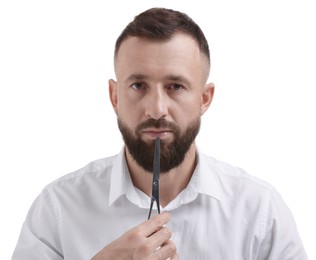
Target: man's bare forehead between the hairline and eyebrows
<point x="173" y="54"/>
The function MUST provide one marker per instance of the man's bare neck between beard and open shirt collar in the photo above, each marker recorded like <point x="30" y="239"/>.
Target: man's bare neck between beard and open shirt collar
<point x="171" y="183"/>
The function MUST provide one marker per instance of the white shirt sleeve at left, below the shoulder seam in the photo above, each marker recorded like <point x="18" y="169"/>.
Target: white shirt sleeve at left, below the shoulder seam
<point x="40" y="238"/>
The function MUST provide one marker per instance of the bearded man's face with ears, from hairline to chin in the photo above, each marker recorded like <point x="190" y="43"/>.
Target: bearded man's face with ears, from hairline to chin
<point x="160" y="92"/>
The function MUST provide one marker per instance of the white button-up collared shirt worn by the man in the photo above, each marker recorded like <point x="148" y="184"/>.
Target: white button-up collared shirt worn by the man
<point x="223" y="214"/>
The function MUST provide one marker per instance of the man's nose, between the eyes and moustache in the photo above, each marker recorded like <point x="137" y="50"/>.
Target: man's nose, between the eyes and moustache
<point x="156" y="106"/>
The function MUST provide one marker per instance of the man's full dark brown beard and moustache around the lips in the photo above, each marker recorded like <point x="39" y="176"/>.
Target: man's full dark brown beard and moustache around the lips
<point x="171" y="155"/>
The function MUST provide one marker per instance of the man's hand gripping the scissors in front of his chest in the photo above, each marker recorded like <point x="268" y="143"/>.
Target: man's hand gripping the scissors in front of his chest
<point x="149" y="240"/>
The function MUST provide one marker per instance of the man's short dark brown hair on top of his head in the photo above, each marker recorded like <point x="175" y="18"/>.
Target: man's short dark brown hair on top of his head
<point x="161" y="24"/>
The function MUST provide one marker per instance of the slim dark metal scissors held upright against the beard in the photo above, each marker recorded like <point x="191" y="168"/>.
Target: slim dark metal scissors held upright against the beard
<point x="156" y="175"/>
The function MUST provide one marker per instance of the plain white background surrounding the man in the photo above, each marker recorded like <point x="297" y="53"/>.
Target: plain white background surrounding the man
<point x="56" y="59"/>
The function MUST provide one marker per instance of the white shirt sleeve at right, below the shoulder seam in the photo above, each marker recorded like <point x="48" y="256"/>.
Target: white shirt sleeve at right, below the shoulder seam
<point x="280" y="236"/>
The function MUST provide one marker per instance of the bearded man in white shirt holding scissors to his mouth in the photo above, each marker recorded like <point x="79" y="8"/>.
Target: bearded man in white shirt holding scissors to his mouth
<point x="210" y="210"/>
